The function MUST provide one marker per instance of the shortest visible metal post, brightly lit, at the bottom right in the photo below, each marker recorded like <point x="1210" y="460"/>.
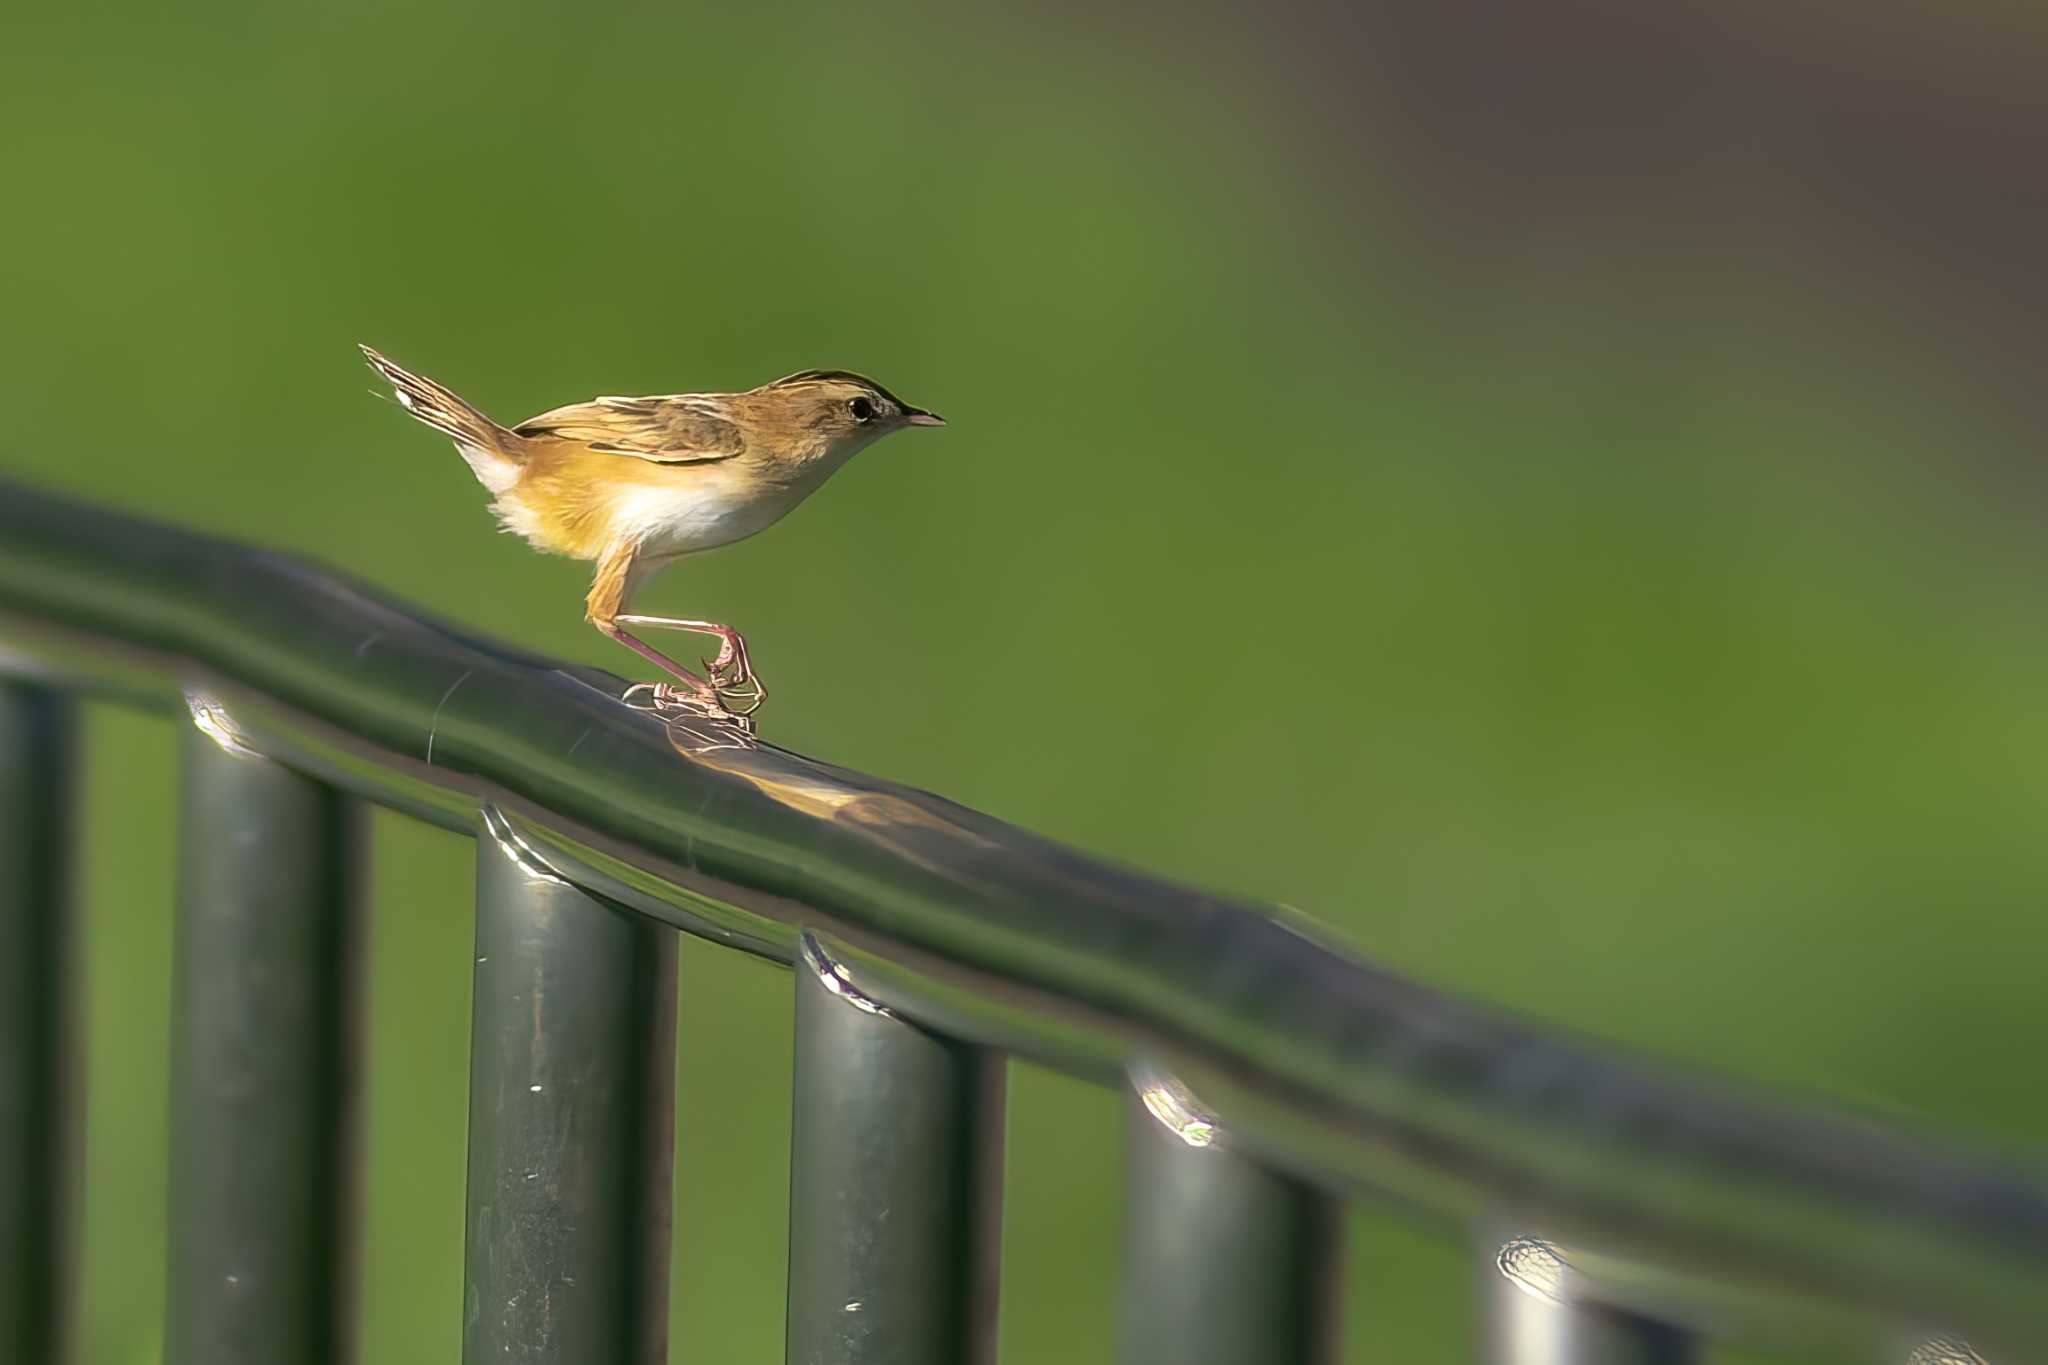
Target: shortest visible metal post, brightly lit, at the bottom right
<point x="1539" y="1315"/>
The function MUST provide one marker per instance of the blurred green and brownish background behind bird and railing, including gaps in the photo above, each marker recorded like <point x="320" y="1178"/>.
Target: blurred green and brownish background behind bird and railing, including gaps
<point x="1549" y="490"/>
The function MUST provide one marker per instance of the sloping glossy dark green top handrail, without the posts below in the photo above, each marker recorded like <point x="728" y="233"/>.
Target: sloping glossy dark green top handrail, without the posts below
<point x="1682" y="1194"/>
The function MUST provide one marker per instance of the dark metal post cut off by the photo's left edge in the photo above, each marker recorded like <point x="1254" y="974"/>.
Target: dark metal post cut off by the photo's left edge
<point x="38" y="750"/>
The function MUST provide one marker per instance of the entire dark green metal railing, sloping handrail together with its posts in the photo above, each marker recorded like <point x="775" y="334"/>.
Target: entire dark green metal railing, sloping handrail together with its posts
<point x="1619" y="1213"/>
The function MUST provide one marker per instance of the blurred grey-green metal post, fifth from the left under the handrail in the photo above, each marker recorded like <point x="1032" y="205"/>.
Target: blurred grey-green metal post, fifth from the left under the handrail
<point x="1226" y="1260"/>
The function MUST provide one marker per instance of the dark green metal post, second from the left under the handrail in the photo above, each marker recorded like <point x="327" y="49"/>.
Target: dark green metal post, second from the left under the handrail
<point x="263" y="1061"/>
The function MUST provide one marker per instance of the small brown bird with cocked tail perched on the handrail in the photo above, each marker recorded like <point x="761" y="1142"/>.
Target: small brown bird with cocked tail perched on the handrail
<point x="638" y="484"/>
